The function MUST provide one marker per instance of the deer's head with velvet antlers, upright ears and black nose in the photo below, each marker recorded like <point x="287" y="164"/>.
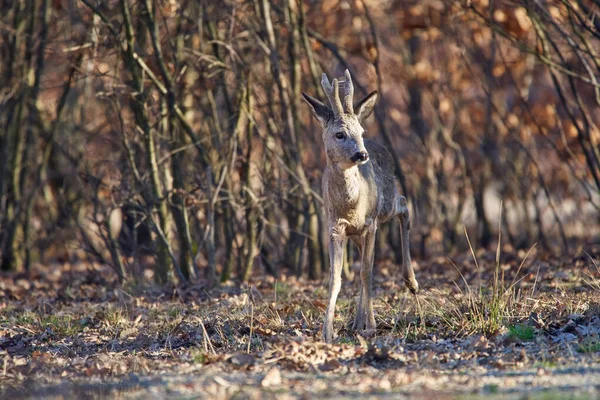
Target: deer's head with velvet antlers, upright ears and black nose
<point x="342" y="121"/>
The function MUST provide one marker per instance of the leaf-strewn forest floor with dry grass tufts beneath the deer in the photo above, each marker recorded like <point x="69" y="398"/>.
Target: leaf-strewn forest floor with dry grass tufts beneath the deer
<point x="514" y="328"/>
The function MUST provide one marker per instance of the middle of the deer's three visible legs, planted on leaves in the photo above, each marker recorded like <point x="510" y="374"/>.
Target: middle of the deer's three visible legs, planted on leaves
<point x="365" y="318"/>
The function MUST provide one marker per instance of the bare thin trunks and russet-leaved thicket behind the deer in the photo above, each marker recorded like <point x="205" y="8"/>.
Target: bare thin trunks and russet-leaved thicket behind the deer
<point x="168" y="139"/>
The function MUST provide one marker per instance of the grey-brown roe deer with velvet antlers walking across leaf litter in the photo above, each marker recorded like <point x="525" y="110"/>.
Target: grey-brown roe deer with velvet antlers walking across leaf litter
<point x="359" y="193"/>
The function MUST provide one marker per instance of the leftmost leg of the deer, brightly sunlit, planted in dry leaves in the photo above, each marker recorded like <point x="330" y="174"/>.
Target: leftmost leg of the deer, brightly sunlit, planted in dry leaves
<point x="337" y="243"/>
